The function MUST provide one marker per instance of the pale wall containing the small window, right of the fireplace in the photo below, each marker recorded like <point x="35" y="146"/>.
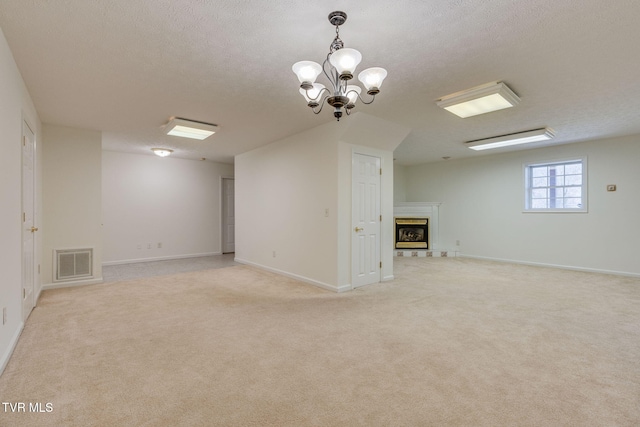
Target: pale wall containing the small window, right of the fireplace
<point x="483" y="199"/>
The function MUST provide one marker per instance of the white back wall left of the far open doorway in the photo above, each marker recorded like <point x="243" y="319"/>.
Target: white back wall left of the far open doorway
<point x="148" y="200"/>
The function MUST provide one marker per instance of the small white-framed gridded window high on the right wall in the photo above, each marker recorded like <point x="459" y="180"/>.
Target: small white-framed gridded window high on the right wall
<point x="556" y="186"/>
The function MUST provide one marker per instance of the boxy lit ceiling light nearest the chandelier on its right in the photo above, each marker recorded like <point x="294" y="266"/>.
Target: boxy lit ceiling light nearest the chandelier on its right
<point x="479" y="100"/>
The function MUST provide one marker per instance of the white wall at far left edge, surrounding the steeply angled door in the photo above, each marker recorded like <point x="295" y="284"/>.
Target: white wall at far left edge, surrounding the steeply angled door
<point x="15" y="106"/>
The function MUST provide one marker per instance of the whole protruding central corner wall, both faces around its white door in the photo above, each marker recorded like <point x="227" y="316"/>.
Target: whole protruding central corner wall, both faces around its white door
<point x="284" y="189"/>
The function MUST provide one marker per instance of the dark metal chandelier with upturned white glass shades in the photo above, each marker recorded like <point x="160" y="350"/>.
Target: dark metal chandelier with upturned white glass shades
<point x="339" y="68"/>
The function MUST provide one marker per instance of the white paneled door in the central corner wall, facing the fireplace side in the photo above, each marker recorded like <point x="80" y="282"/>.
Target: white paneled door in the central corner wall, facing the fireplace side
<point x="365" y="244"/>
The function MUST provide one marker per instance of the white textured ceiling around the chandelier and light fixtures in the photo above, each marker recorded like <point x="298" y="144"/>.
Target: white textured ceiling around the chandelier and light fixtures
<point x="125" y="67"/>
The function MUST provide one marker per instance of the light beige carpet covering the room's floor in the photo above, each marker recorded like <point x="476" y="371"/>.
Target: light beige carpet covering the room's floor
<point x="450" y="342"/>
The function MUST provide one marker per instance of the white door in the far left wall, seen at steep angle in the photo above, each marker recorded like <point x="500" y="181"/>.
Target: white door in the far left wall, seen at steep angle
<point x="28" y="226"/>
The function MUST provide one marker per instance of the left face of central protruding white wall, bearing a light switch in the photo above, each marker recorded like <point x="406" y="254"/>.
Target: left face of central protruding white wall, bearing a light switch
<point x="282" y="191"/>
